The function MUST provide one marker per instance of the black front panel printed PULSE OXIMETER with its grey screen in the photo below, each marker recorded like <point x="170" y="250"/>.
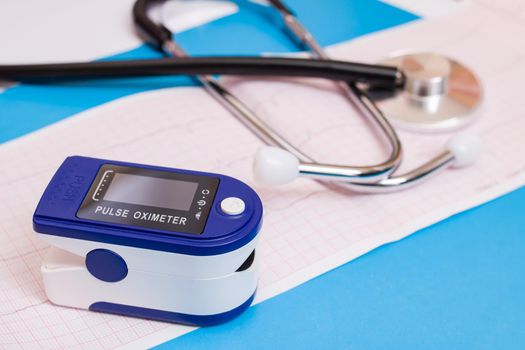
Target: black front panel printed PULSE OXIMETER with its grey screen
<point x="149" y="198"/>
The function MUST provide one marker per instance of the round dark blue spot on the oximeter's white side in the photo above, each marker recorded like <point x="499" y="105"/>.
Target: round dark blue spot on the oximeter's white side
<point x="106" y="265"/>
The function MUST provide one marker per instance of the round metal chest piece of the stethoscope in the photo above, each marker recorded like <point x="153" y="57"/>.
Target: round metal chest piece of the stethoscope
<point x="439" y="94"/>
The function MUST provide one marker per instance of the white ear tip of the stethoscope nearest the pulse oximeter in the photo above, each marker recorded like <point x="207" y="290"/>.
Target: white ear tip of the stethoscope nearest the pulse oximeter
<point x="275" y="166"/>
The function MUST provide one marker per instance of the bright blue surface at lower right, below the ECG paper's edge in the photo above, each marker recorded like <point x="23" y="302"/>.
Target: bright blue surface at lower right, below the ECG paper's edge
<point x="458" y="284"/>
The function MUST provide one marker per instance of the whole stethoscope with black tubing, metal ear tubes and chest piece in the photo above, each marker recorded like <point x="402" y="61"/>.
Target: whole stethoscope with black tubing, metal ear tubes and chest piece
<point x="423" y="92"/>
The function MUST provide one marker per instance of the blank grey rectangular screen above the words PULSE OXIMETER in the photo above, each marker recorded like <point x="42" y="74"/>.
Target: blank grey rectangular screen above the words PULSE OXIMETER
<point x="151" y="191"/>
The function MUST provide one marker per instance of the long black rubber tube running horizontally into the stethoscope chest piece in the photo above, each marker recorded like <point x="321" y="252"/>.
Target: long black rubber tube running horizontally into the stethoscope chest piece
<point x="374" y="75"/>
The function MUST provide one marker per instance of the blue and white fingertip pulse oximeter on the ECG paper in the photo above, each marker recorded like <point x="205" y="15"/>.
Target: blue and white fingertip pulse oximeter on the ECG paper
<point x="145" y="241"/>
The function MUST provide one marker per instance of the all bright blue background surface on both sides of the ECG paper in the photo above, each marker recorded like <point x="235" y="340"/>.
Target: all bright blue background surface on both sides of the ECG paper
<point x="457" y="284"/>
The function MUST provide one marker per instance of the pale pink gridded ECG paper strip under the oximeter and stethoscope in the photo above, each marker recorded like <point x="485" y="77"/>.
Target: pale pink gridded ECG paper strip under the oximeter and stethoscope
<point x="308" y="228"/>
